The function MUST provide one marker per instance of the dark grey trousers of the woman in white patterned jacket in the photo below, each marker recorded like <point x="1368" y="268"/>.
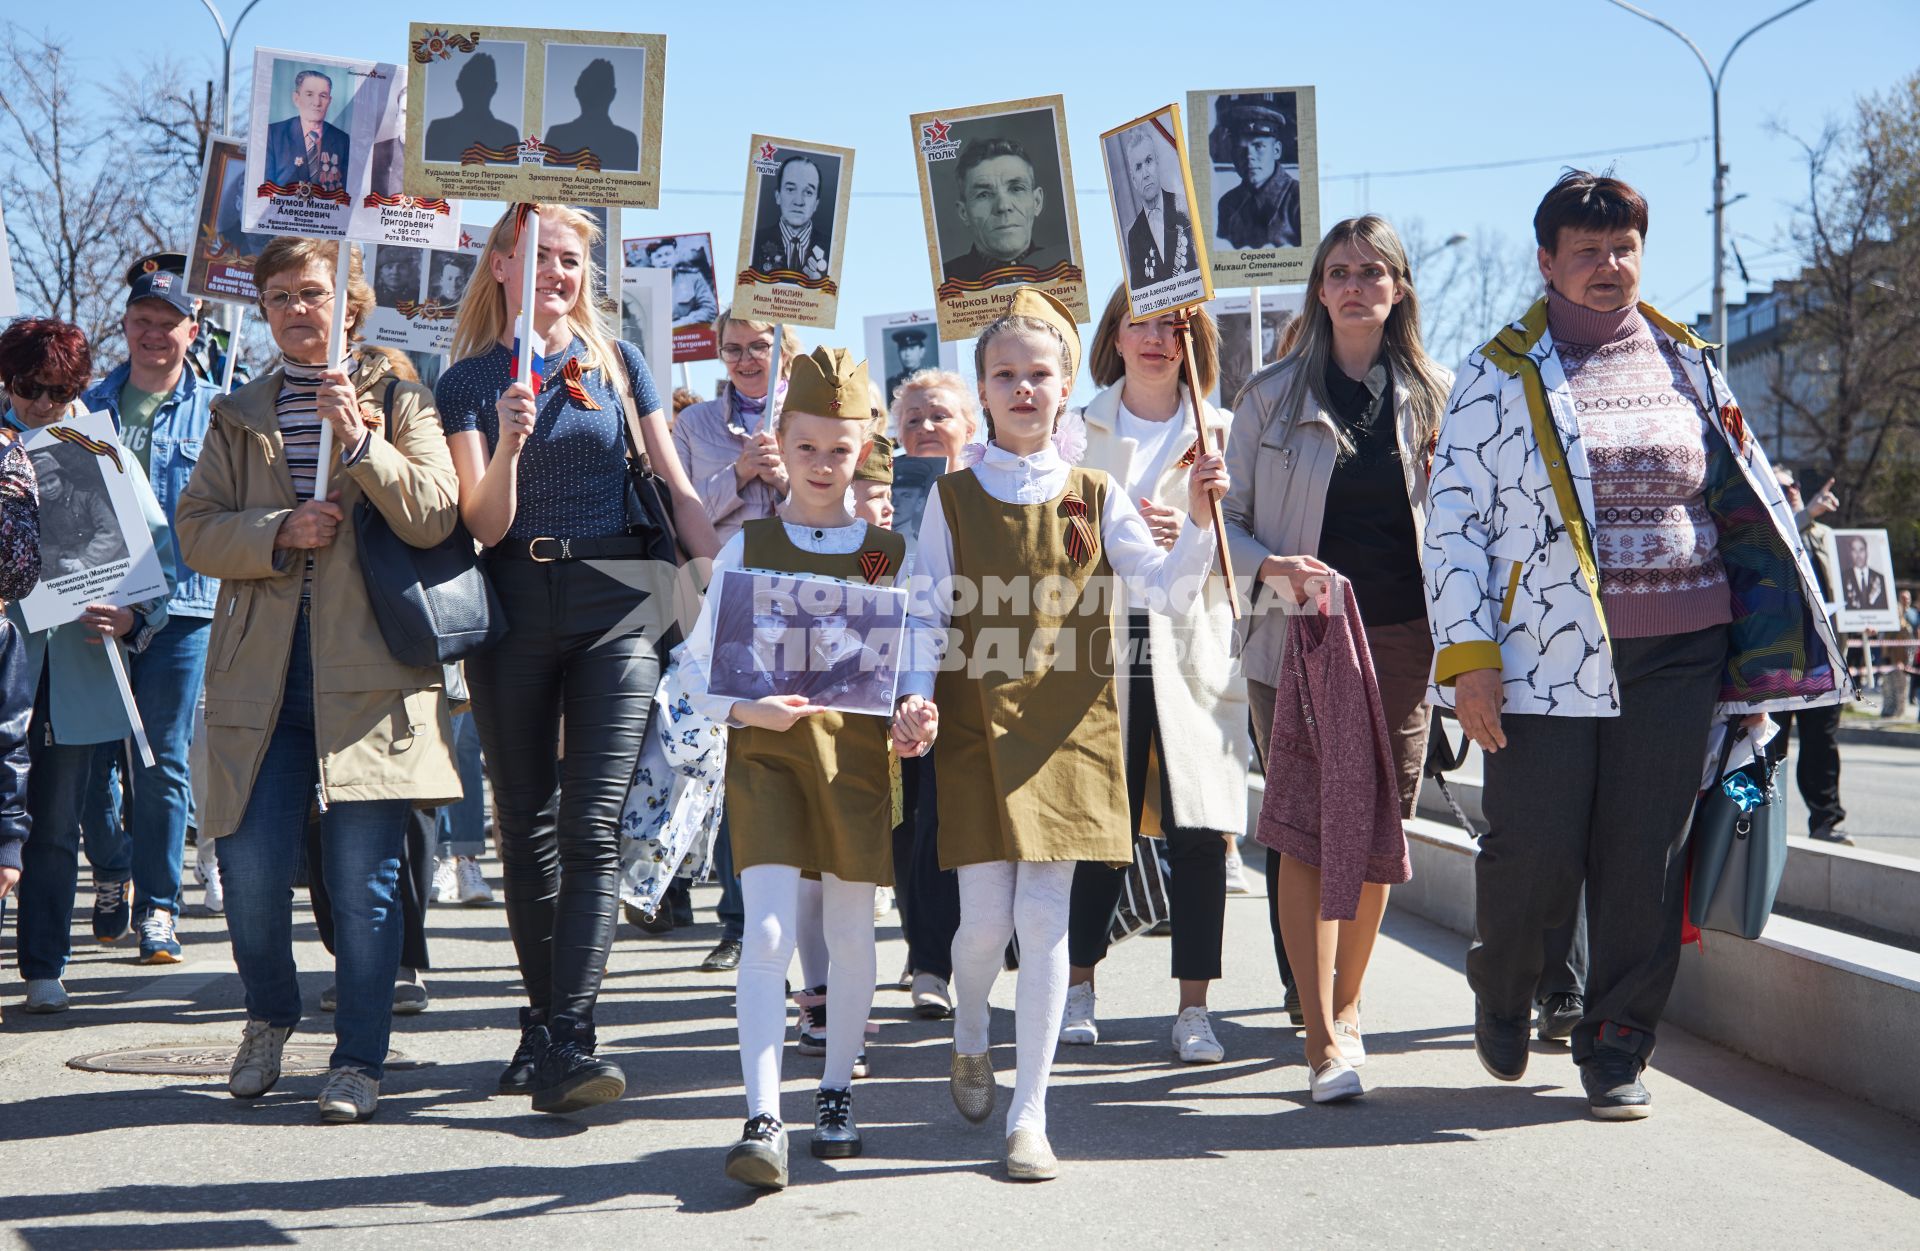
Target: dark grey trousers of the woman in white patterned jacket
<point x="1604" y="801"/>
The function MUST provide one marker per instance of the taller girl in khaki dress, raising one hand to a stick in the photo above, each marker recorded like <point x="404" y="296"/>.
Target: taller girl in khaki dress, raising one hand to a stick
<point x="1019" y="554"/>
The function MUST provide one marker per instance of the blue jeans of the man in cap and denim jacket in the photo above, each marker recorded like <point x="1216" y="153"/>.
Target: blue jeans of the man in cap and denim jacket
<point x="166" y="682"/>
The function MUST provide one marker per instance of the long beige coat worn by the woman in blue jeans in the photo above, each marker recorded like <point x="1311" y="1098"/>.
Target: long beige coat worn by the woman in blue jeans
<point x="381" y="726"/>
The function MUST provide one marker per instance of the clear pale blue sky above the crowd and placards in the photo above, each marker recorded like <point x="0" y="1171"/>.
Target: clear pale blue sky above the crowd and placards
<point x="1401" y="85"/>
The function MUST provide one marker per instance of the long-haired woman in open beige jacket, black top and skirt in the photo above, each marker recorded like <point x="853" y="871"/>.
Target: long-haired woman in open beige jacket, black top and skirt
<point x="1330" y="475"/>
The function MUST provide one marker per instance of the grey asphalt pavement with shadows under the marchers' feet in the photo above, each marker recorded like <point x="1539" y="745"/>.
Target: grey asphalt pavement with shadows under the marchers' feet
<point x="1155" y="1154"/>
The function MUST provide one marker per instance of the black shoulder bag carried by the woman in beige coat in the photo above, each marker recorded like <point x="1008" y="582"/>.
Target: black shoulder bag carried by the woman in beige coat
<point x="435" y="605"/>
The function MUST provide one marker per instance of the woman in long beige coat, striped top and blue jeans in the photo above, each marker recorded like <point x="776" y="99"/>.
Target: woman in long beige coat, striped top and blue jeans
<point x="306" y="707"/>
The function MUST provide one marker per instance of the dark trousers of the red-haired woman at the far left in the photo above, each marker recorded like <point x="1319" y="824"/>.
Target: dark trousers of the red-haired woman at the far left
<point x="60" y="786"/>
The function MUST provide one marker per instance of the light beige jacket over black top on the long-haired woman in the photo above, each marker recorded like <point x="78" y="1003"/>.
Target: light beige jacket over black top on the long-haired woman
<point x="1280" y="465"/>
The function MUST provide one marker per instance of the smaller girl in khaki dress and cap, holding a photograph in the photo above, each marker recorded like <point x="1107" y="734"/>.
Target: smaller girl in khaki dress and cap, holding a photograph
<point x="807" y="790"/>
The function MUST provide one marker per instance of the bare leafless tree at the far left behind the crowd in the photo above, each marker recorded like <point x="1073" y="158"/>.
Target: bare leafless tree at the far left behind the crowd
<point x="68" y="202"/>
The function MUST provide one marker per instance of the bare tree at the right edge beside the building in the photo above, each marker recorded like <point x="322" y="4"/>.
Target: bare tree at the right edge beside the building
<point x="1848" y="377"/>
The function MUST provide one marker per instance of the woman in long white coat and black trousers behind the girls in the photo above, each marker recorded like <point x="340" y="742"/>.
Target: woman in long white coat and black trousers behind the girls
<point x="1182" y="701"/>
